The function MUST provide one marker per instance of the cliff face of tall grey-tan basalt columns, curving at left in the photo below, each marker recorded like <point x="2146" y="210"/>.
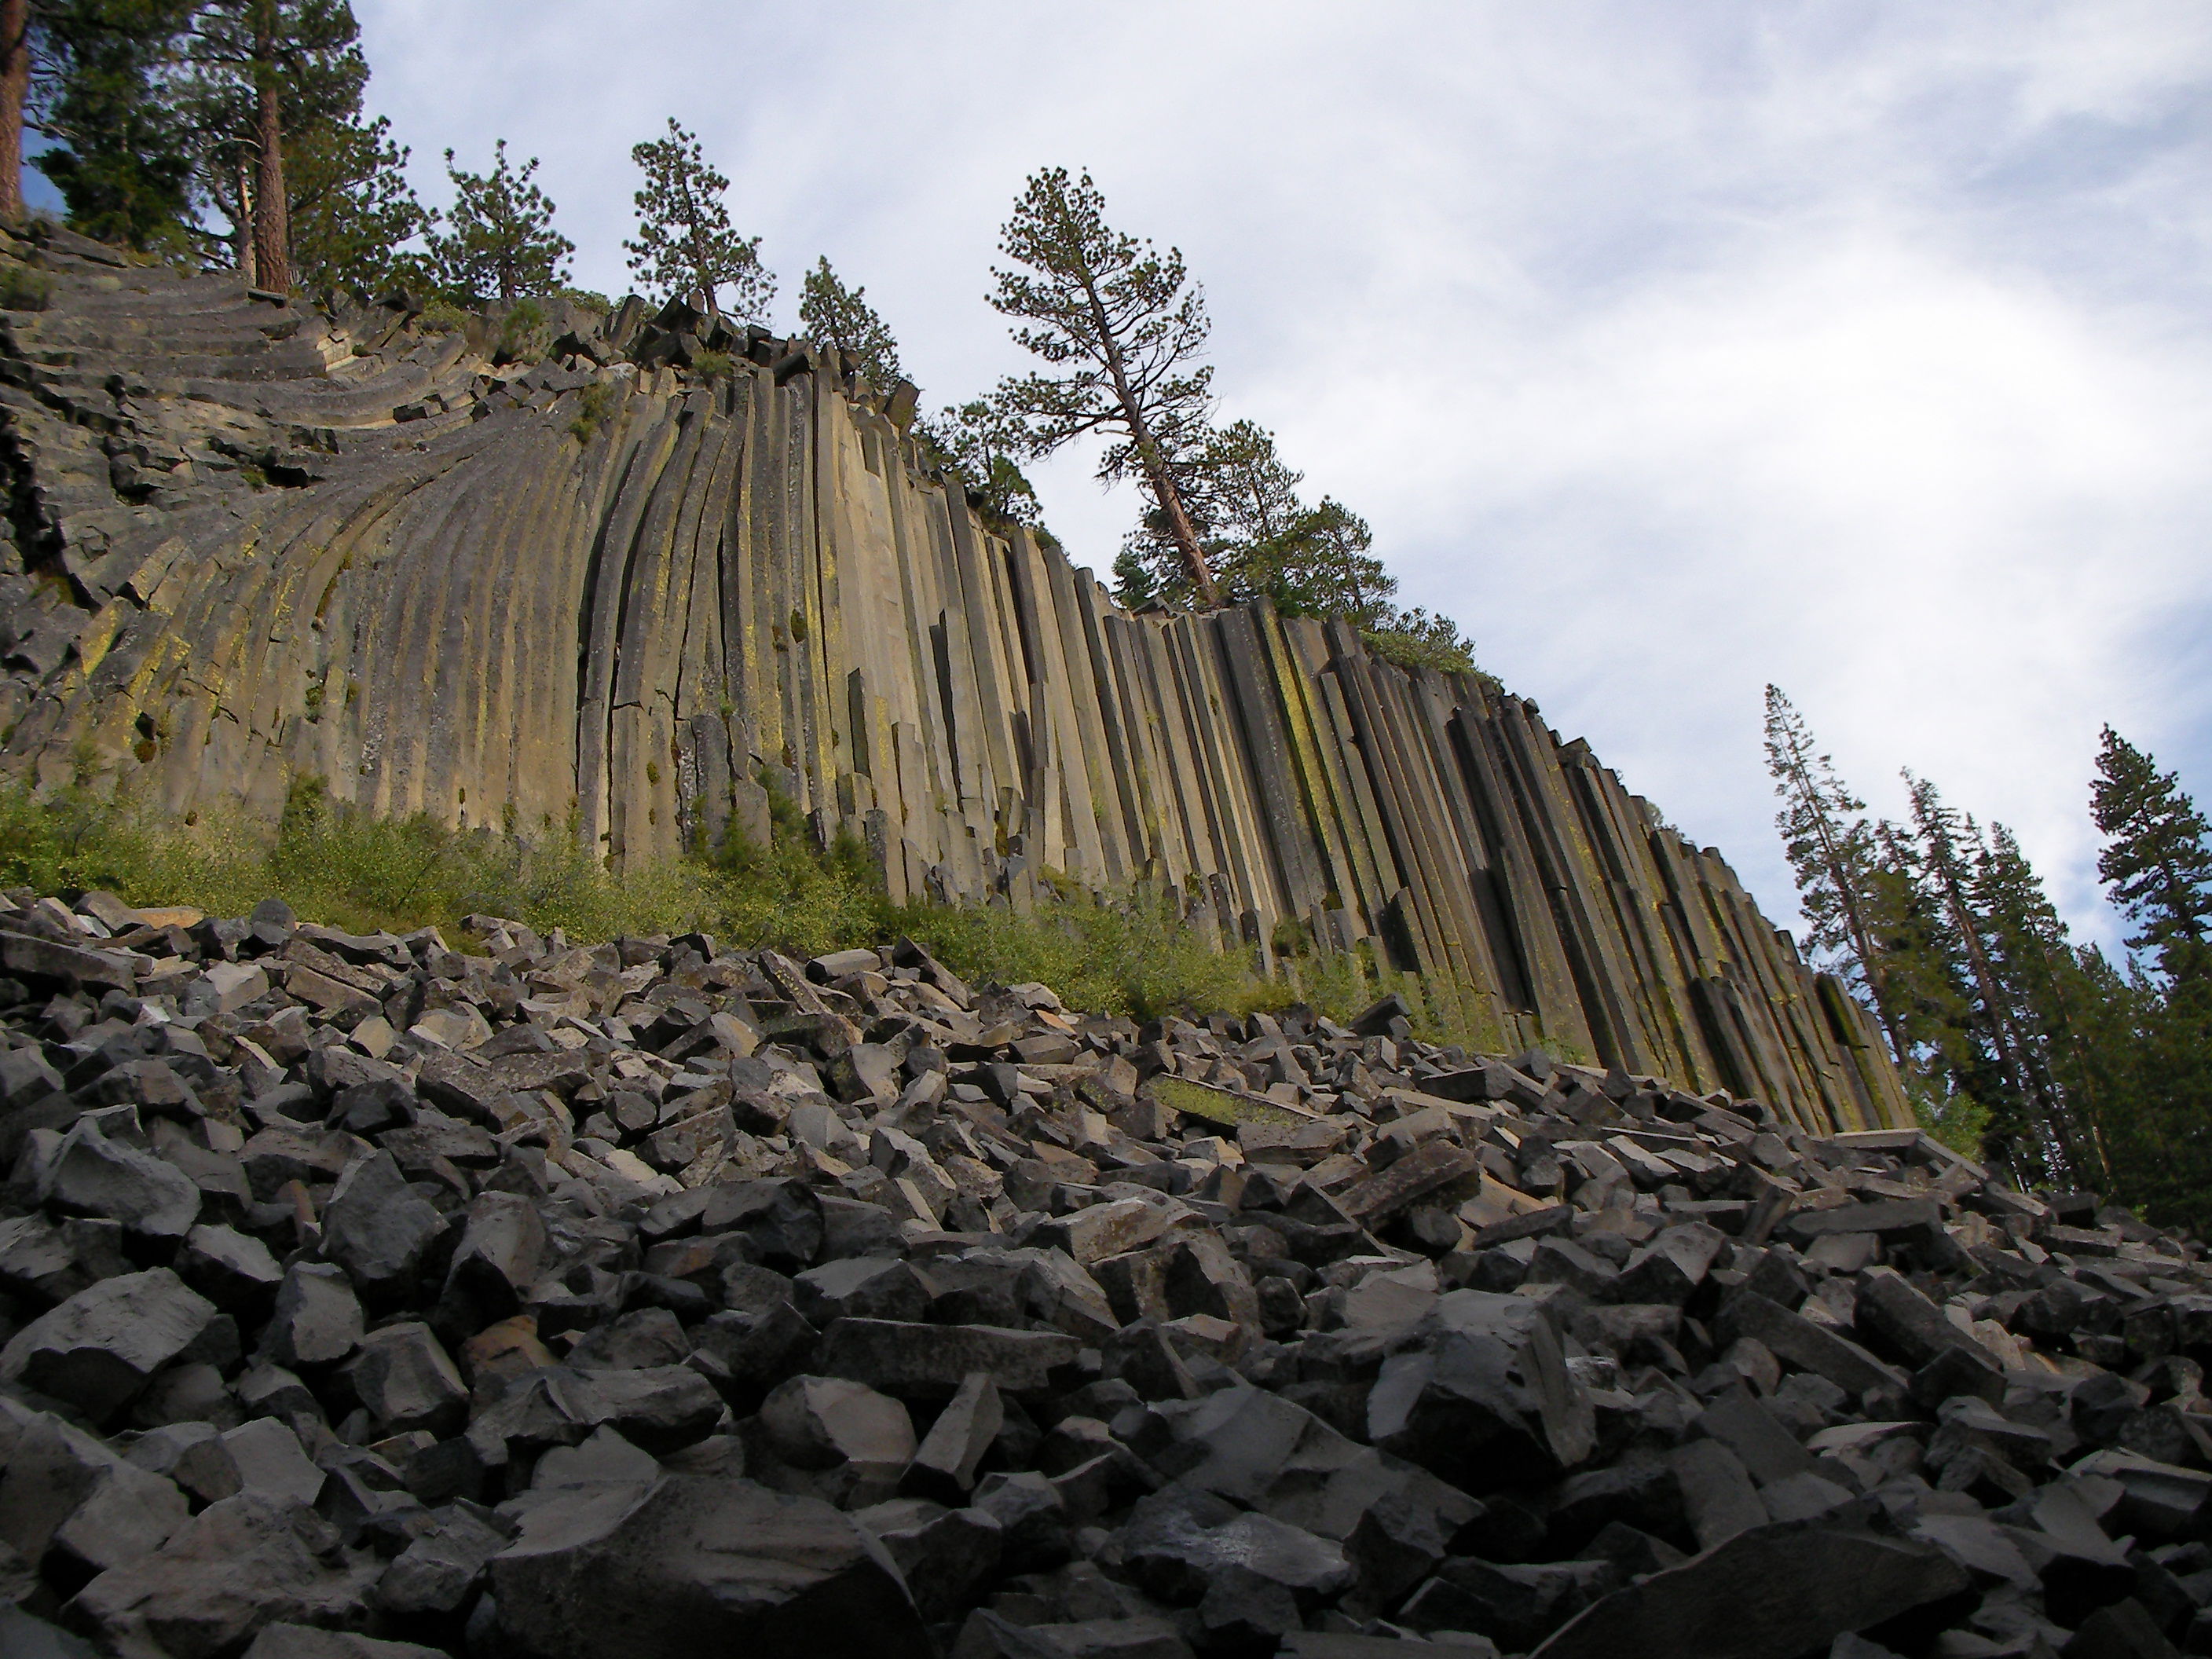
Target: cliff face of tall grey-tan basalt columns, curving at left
<point x="612" y="592"/>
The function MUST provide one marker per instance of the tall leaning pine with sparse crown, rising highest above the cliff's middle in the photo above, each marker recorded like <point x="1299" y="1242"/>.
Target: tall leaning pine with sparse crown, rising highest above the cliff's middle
<point x="1123" y="326"/>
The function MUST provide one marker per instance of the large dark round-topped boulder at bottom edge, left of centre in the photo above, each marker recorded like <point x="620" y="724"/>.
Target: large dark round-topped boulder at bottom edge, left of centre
<point x="696" y="1565"/>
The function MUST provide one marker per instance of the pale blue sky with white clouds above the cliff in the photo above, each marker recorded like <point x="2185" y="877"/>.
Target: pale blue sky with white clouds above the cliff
<point x="1671" y="346"/>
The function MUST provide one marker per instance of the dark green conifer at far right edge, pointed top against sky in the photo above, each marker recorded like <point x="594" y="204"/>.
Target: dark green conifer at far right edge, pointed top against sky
<point x="2158" y="857"/>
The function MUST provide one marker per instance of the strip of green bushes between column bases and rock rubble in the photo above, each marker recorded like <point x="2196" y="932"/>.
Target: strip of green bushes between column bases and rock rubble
<point x="353" y="870"/>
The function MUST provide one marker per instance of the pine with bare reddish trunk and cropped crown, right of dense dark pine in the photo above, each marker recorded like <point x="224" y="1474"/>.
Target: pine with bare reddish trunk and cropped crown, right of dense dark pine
<point x="267" y="72"/>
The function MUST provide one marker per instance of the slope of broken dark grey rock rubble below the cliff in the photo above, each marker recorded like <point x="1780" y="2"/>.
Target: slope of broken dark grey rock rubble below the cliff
<point x="377" y="1297"/>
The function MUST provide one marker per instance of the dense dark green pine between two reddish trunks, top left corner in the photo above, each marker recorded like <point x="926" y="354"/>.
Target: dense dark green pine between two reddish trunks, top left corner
<point x="123" y="154"/>
